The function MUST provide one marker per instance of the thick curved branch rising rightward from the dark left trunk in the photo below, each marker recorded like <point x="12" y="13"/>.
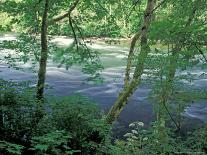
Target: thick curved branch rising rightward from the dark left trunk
<point x="61" y="17"/>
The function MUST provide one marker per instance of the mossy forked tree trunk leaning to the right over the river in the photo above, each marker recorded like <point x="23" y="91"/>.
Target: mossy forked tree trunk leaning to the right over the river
<point x="131" y="87"/>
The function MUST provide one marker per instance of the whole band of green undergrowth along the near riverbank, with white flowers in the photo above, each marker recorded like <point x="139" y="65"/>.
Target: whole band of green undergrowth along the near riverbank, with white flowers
<point x="73" y="125"/>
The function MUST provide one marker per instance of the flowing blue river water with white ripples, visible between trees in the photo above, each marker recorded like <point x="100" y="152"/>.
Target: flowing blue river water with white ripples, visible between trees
<point x="66" y="82"/>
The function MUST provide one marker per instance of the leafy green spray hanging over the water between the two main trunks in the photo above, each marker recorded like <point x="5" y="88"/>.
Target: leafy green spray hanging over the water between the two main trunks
<point x="82" y="56"/>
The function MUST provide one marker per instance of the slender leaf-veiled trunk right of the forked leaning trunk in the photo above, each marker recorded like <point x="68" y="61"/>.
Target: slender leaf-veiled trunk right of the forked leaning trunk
<point x="168" y="87"/>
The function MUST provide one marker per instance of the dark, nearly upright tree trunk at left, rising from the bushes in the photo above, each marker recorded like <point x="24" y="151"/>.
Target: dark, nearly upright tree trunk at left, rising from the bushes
<point x="44" y="54"/>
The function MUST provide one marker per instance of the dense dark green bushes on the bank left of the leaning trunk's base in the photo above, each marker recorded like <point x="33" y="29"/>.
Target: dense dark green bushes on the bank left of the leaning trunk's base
<point x="57" y="126"/>
